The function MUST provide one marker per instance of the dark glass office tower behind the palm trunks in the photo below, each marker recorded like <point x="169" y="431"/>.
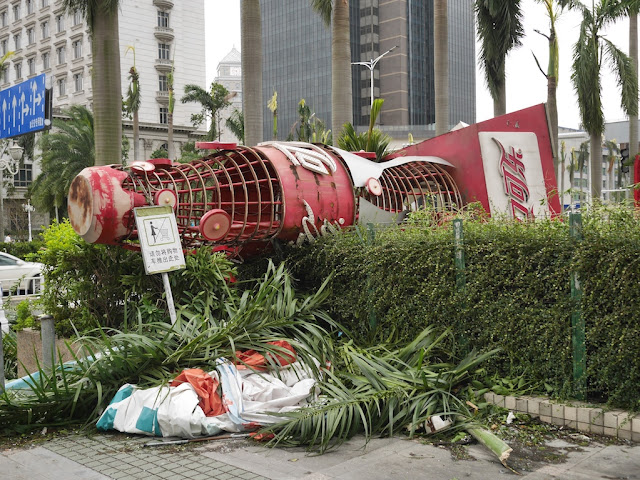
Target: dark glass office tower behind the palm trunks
<point x="297" y="62"/>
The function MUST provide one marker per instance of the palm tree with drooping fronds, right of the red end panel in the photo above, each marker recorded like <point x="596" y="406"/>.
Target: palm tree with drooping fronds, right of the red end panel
<point x="590" y="53"/>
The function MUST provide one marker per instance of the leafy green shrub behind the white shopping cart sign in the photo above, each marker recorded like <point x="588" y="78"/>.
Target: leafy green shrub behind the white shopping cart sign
<point x="89" y="285"/>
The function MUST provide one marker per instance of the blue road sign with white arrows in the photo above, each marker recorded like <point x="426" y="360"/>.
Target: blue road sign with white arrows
<point x="23" y="108"/>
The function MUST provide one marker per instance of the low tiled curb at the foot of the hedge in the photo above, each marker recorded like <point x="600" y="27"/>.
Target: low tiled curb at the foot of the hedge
<point x="578" y="416"/>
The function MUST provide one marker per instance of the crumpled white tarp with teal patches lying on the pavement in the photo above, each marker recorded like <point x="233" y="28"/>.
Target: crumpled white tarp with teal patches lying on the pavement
<point x="248" y="400"/>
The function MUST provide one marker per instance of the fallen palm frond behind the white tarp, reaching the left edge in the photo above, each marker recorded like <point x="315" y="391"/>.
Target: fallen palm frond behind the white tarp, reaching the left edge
<point x="150" y="354"/>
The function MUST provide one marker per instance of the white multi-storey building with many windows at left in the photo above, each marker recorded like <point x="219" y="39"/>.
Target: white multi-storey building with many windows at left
<point x="44" y="38"/>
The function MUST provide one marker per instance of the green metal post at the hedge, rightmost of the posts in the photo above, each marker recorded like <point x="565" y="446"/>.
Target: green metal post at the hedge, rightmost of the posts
<point x="577" y="320"/>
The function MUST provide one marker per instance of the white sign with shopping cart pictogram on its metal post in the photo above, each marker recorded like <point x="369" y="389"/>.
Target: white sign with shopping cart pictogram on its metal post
<point x="160" y="246"/>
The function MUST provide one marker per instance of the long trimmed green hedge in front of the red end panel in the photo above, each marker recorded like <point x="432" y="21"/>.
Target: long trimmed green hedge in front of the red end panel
<point x="517" y="294"/>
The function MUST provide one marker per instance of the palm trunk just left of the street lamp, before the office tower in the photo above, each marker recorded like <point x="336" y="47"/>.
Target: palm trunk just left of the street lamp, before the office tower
<point x="341" y="108"/>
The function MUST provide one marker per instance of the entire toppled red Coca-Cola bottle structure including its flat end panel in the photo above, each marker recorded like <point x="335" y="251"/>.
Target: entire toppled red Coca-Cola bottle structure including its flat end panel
<point x="241" y="198"/>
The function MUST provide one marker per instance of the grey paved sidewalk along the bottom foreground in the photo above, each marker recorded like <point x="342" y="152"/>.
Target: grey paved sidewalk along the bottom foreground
<point x="116" y="456"/>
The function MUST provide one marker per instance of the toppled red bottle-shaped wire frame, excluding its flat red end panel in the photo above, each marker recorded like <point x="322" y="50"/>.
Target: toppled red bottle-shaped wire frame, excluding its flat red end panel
<point x="246" y="197"/>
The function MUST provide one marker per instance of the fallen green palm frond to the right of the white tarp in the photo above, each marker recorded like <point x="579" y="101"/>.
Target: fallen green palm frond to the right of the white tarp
<point x="382" y="390"/>
